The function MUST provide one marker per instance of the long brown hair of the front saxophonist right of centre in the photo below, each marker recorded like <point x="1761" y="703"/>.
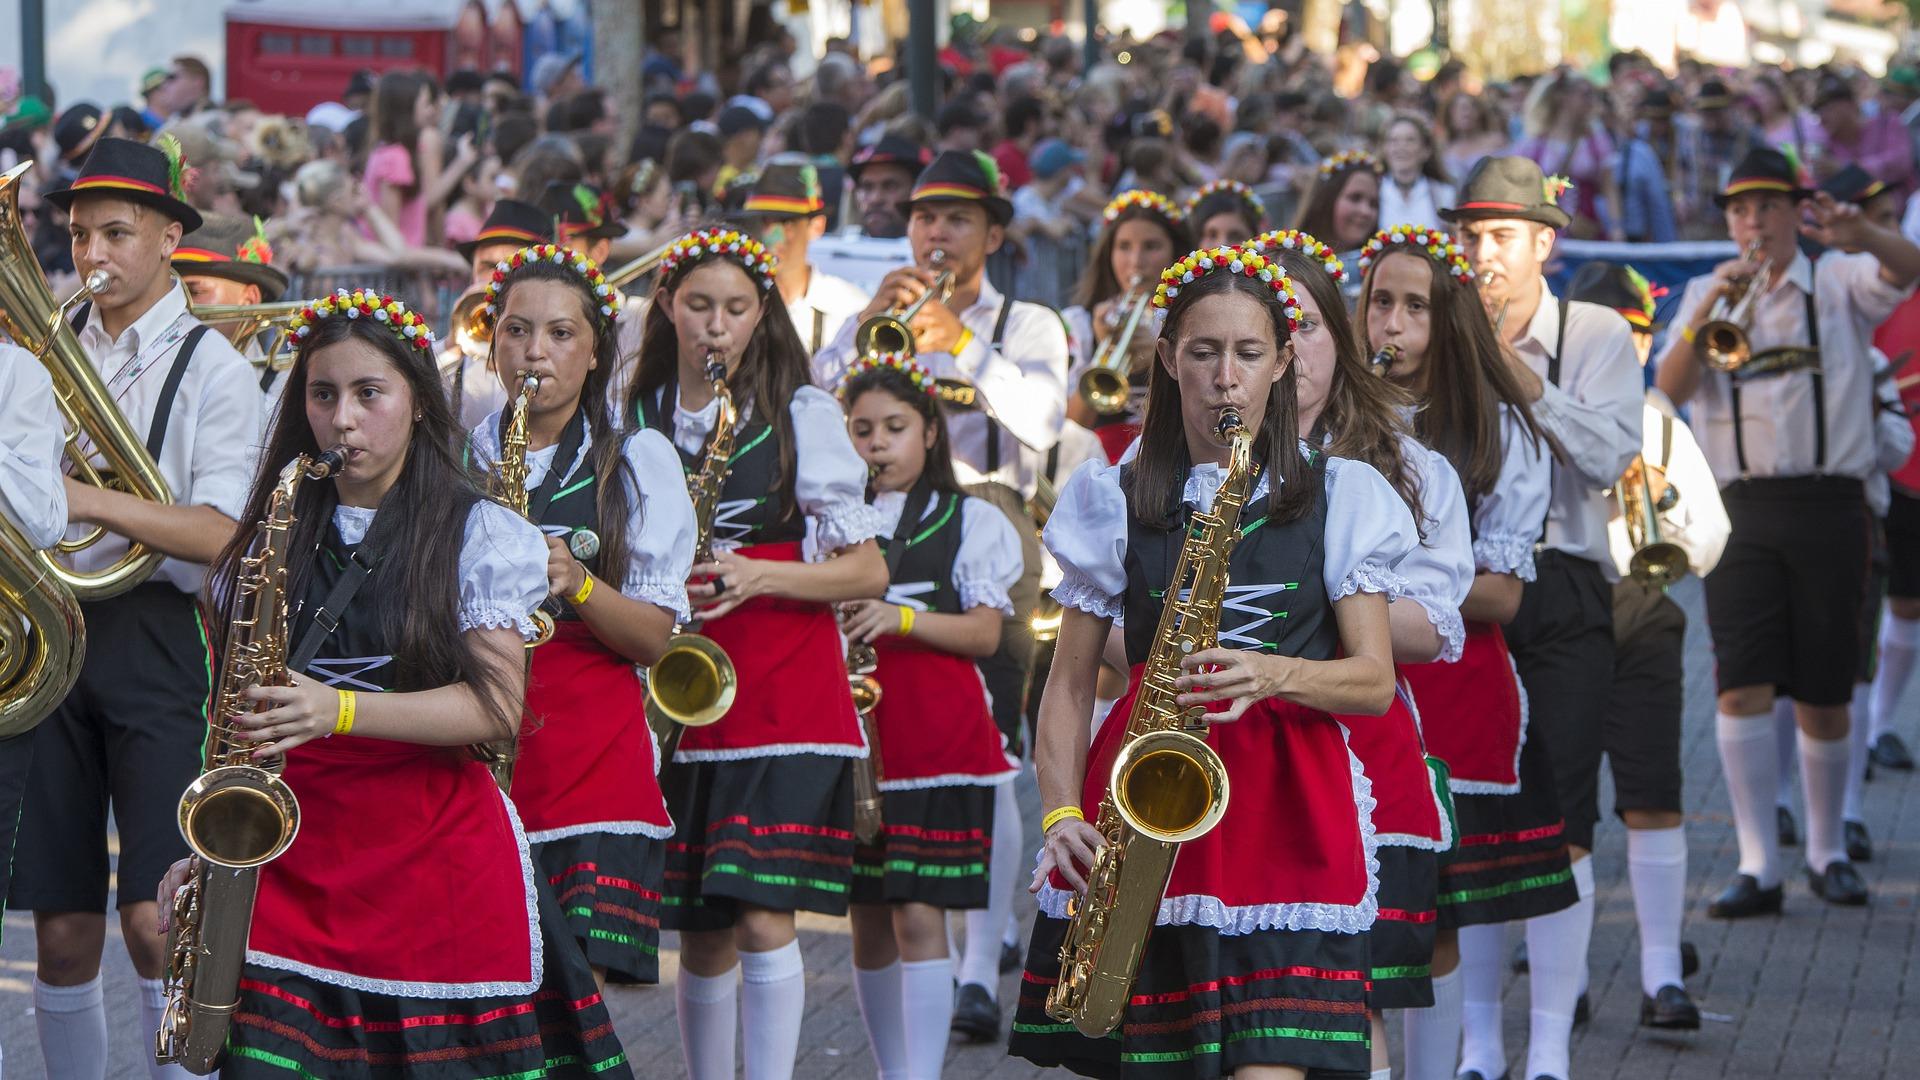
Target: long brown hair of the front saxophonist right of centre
<point x="1157" y="478"/>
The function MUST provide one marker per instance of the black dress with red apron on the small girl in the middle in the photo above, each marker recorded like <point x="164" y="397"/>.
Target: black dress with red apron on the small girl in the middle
<point x="940" y="752"/>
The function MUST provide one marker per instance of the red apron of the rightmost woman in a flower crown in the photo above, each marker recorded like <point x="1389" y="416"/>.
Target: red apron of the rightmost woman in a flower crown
<point x="1476" y="714"/>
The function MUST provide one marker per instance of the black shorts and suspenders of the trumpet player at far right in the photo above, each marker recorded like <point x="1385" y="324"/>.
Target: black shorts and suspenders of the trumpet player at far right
<point x="1787" y="597"/>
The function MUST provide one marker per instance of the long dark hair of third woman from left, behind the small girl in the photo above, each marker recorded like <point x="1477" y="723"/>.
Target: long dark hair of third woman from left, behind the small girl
<point x="771" y="370"/>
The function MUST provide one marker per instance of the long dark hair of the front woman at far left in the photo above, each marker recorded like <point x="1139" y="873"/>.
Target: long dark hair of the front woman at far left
<point x="418" y="585"/>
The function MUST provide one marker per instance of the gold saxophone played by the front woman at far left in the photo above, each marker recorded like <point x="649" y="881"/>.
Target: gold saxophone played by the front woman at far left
<point x="239" y="816"/>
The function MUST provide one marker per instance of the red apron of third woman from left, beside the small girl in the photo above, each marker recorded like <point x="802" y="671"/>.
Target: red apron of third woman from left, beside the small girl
<point x="794" y="695"/>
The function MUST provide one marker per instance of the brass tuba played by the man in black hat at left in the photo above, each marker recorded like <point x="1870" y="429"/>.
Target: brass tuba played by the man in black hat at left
<point x="37" y="324"/>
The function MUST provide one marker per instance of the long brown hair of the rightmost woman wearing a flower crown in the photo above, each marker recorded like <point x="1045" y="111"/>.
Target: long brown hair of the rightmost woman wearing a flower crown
<point x="1464" y="380"/>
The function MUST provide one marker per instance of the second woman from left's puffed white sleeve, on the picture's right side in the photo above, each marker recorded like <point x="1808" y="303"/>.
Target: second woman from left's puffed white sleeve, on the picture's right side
<point x="660" y="524"/>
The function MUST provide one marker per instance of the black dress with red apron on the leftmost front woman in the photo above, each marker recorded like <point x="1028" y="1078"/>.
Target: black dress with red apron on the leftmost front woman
<point x="404" y="931"/>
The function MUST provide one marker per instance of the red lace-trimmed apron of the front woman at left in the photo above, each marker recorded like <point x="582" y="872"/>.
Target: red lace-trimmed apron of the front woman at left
<point x="393" y="839"/>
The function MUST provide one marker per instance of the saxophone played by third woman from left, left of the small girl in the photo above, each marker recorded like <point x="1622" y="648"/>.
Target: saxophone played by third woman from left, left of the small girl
<point x="694" y="683"/>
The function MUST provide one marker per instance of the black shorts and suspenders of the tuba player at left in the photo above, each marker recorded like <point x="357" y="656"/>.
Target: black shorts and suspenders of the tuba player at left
<point x="130" y="733"/>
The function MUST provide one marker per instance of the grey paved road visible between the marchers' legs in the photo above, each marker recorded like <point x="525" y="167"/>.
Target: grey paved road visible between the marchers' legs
<point x="1819" y="993"/>
